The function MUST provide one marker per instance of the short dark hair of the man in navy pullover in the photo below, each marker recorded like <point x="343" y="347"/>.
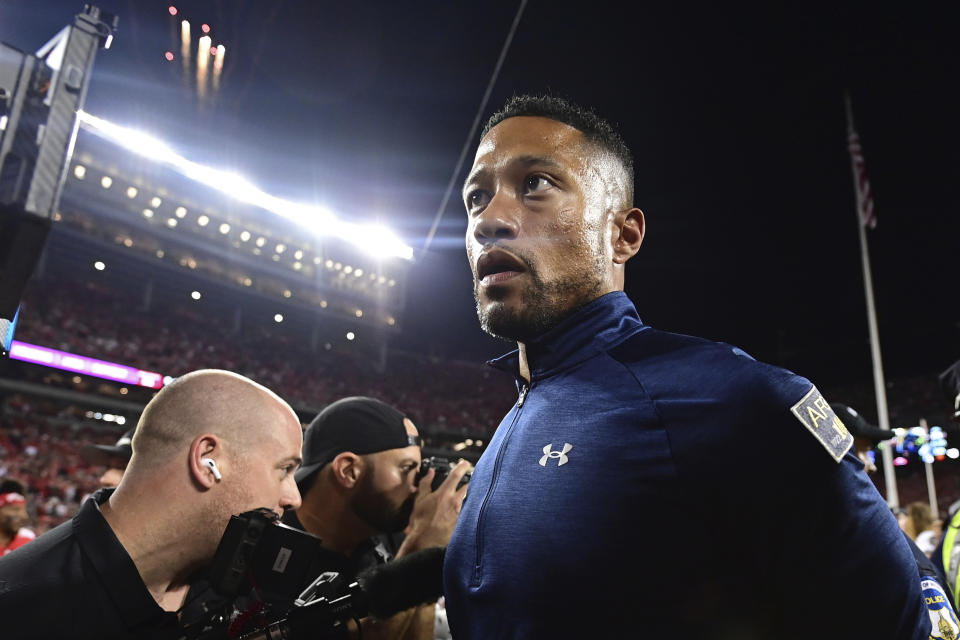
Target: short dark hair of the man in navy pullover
<point x="593" y="127"/>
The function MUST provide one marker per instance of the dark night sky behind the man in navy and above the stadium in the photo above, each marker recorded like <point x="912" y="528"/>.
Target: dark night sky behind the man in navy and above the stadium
<point x="735" y="117"/>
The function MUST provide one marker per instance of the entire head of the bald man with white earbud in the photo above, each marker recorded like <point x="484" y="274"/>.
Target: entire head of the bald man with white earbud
<point x="210" y="445"/>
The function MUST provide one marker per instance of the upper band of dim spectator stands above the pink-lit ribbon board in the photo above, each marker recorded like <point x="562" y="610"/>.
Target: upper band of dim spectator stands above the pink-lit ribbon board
<point x="88" y="319"/>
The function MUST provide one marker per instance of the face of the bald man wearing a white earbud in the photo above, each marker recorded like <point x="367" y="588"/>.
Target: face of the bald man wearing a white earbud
<point x="266" y="470"/>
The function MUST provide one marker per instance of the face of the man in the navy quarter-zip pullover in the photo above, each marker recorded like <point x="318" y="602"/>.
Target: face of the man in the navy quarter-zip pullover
<point x="538" y="232"/>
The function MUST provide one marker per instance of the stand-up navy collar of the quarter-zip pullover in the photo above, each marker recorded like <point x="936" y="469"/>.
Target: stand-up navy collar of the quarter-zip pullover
<point x="595" y="328"/>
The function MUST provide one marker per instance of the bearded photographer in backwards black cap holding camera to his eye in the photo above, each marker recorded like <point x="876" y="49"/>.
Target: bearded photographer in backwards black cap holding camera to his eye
<point x="360" y="479"/>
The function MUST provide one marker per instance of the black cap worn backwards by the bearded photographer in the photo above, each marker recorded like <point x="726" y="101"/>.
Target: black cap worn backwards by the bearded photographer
<point x="358" y="424"/>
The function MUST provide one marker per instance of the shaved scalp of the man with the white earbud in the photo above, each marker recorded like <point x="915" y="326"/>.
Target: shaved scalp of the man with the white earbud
<point x="223" y="403"/>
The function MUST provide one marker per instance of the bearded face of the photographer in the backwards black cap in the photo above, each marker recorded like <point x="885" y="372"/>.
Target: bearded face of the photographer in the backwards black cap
<point x="385" y="493"/>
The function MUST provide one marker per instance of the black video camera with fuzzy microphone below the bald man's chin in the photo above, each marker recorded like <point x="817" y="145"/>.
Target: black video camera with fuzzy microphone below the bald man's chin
<point x="273" y="581"/>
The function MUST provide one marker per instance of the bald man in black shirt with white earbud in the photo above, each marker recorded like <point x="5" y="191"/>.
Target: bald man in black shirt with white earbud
<point x="209" y="445"/>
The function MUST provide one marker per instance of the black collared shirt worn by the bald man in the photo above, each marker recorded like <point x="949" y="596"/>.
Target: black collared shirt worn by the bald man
<point x="77" y="581"/>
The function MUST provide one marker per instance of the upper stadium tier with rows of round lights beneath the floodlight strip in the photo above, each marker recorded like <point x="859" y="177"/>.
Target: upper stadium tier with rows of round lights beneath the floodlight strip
<point x="159" y="215"/>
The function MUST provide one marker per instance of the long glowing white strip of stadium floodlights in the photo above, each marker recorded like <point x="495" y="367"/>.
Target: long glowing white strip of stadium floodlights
<point x="373" y="239"/>
